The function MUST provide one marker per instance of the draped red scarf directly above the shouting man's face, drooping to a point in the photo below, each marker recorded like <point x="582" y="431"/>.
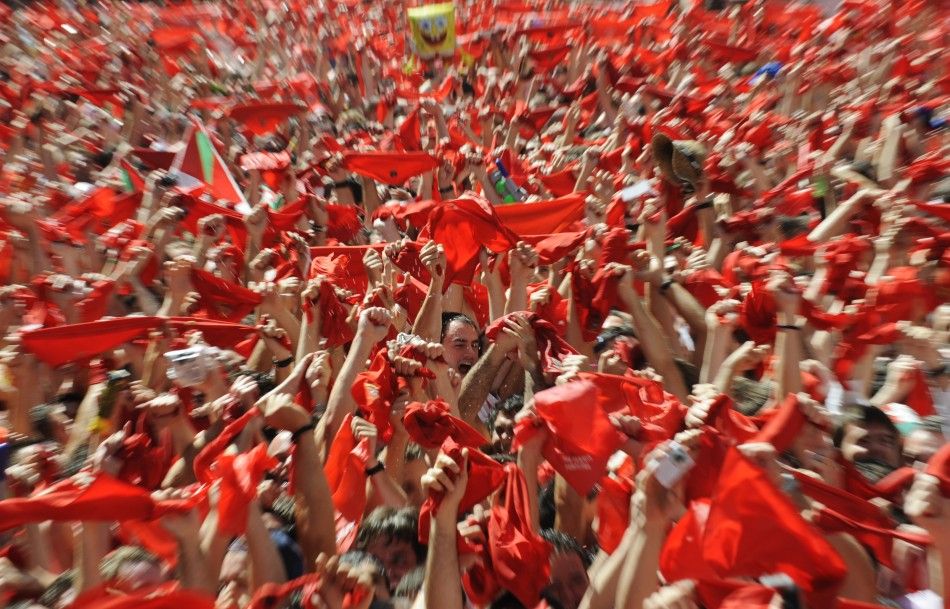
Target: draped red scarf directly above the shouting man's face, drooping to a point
<point x="464" y="227"/>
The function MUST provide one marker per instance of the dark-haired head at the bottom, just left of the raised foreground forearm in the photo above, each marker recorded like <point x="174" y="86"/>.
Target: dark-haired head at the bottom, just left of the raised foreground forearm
<point x="392" y="536"/>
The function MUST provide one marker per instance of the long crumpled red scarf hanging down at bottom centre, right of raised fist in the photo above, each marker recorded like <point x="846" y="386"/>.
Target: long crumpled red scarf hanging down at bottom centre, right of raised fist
<point x="520" y="557"/>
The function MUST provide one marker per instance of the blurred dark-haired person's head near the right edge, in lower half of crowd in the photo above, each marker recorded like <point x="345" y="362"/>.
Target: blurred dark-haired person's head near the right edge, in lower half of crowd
<point x="868" y="438"/>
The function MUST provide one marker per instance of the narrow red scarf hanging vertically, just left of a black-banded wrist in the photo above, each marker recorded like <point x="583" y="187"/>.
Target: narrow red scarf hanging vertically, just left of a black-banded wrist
<point x="346" y="475"/>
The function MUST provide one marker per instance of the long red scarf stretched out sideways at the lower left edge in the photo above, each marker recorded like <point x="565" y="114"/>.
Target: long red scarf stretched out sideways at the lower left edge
<point x="88" y="497"/>
